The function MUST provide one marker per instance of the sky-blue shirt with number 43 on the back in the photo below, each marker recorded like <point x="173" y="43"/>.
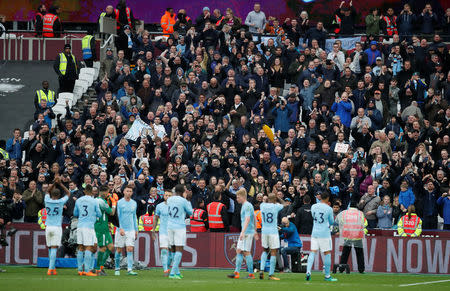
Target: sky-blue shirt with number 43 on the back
<point x="323" y="218"/>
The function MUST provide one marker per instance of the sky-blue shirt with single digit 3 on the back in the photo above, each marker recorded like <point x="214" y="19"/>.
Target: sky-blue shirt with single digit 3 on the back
<point x="87" y="211"/>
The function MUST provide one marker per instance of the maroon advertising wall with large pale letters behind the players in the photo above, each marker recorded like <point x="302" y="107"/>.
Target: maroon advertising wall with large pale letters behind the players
<point x="384" y="252"/>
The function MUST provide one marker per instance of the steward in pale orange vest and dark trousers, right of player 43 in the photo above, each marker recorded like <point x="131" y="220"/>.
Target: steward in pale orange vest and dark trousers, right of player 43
<point x="352" y="227"/>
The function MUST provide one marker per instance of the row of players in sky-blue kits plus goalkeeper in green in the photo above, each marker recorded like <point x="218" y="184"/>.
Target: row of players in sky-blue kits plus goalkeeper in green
<point x="93" y="233"/>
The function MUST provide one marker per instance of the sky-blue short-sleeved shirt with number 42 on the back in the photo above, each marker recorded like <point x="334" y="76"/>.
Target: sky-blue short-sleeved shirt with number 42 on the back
<point x="178" y="208"/>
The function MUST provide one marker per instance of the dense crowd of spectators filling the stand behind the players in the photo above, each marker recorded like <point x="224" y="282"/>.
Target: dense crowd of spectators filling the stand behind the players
<point x="369" y="125"/>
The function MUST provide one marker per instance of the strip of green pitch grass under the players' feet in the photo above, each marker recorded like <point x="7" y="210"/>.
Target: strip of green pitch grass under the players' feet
<point x="31" y="278"/>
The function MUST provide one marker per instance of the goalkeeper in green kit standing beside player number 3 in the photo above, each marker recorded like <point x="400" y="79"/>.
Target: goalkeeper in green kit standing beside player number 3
<point x="104" y="238"/>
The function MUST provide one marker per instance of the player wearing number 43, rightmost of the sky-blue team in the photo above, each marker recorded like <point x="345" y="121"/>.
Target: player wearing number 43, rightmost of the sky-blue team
<point x="323" y="218"/>
